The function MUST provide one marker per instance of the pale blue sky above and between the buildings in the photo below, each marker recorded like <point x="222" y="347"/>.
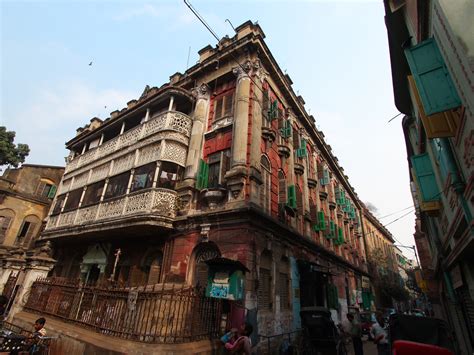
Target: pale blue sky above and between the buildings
<point x="335" y="52"/>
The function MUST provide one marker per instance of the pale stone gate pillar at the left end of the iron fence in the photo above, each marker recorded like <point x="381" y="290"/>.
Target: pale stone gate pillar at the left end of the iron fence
<point x="38" y="264"/>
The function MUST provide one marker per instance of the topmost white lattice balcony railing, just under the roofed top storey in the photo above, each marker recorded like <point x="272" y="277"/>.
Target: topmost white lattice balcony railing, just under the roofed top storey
<point x="170" y="120"/>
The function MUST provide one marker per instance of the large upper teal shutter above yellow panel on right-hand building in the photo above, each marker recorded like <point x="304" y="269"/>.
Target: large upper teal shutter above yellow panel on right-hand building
<point x="433" y="81"/>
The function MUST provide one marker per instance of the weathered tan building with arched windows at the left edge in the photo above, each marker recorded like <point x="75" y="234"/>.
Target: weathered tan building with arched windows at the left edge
<point x="26" y="194"/>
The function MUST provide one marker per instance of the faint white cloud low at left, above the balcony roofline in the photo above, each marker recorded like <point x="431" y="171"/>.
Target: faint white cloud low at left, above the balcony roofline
<point x="53" y="116"/>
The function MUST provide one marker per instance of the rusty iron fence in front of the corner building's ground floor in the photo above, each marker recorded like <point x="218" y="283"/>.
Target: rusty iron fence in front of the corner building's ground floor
<point x="154" y="314"/>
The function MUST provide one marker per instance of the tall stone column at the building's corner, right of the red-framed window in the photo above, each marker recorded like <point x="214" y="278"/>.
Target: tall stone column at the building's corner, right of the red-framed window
<point x="237" y="175"/>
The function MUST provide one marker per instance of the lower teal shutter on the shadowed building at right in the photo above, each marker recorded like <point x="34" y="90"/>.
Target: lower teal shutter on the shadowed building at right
<point x="425" y="177"/>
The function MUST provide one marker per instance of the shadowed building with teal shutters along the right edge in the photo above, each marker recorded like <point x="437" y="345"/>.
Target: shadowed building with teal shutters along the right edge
<point x="431" y="49"/>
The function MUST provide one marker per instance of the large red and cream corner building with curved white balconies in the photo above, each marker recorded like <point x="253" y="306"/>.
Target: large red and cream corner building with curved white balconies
<point x="222" y="168"/>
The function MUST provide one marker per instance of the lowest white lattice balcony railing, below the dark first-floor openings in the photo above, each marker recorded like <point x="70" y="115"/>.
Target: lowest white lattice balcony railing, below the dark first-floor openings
<point x="157" y="201"/>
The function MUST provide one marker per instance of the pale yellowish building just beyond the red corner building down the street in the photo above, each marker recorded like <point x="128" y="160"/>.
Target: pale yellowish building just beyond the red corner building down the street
<point x="380" y="255"/>
